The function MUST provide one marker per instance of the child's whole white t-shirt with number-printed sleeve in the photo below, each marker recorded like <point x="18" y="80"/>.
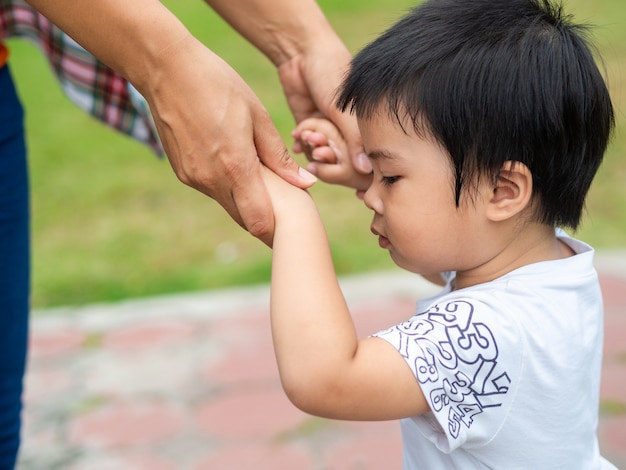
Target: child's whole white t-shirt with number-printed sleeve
<point x="511" y="370"/>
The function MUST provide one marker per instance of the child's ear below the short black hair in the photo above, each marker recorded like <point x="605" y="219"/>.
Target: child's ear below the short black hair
<point x="512" y="192"/>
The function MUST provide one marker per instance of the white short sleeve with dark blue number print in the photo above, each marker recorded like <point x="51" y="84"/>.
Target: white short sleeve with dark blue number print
<point x="466" y="356"/>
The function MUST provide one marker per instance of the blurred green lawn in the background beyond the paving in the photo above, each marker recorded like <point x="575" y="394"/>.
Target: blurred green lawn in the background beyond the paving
<point x="110" y="221"/>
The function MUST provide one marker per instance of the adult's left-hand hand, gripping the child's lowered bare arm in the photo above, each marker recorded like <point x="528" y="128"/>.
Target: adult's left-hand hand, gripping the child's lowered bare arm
<point x="215" y="130"/>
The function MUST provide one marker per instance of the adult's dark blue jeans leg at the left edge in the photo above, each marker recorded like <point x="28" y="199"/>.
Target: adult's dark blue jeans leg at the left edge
<point x="14" y="268"/>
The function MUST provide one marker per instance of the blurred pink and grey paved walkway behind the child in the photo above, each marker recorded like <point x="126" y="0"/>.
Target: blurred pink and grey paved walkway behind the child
<point x="189" y="382"/>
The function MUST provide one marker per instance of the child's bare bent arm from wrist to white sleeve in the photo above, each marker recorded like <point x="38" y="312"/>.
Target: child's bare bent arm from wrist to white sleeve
<point x="324" y="368"/>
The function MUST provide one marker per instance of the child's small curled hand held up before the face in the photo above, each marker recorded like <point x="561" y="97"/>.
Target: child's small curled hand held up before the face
<point x="327" y="152"/>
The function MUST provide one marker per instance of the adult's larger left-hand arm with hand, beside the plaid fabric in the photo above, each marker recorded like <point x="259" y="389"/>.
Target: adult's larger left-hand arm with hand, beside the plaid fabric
<point x="212" y="126"/>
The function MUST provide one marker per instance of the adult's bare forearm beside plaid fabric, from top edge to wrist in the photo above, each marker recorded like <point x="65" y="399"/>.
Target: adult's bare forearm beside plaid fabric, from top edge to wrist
<point x="130" y="37"/>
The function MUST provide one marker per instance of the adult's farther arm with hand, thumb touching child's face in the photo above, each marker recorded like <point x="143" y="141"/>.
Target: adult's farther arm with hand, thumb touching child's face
<point x="310" y="57"/>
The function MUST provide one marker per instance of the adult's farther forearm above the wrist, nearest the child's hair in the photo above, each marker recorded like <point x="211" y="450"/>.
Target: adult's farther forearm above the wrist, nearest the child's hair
<point x="281" y="29"/>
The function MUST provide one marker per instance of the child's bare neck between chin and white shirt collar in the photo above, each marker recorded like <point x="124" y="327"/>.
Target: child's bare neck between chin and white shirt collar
<point x="533" y="244"/>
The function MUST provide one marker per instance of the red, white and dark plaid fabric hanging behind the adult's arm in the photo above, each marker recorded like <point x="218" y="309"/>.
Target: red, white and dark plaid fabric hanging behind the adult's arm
<point x="89" y="83"/>
